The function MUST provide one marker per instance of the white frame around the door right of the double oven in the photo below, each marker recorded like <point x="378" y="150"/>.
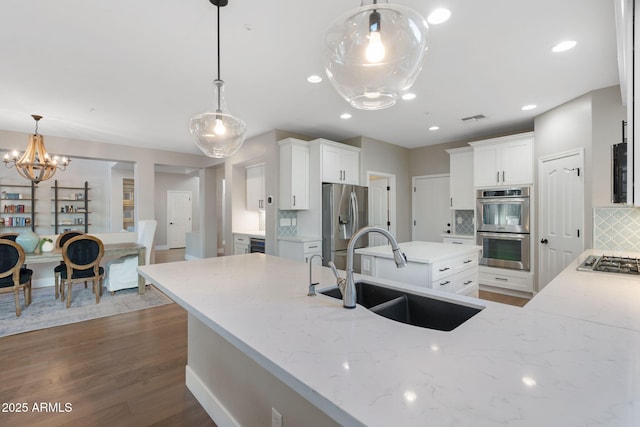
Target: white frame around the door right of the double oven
<point x="541" y="161"/>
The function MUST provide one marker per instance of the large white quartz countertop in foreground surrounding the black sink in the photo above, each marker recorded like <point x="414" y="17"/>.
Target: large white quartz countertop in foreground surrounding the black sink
<point x="550" y="364"/>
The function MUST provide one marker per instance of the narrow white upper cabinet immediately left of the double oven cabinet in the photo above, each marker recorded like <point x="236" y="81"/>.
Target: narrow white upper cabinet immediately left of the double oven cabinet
<point x="461" y="178"/>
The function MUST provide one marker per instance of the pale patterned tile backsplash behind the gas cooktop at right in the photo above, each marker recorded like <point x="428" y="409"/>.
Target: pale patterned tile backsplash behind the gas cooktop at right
<point x="616" y="228"/>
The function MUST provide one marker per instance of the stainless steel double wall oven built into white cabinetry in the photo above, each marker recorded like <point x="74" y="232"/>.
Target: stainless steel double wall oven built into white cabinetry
<point x="502" y="217"/>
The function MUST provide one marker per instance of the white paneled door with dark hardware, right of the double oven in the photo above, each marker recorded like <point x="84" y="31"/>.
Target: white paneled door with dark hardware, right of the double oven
<point x="561" y="213"/>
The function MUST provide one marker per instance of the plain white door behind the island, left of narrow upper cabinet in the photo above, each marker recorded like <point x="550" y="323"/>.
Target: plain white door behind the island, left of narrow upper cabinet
<point x="431" y="212"/>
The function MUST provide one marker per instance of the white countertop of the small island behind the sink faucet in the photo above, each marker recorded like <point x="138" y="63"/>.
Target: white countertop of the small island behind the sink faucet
<point x="421" y="252"/>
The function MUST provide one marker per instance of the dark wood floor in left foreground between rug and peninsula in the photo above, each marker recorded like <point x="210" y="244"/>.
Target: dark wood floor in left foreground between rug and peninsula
<point x="124" y="370"/>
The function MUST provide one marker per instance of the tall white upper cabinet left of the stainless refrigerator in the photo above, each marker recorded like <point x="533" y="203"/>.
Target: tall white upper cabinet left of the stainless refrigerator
<point x="294" y="174"/>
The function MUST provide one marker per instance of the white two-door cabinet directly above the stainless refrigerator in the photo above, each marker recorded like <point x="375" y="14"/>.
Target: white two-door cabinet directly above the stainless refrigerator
<point x="340" y="163"/>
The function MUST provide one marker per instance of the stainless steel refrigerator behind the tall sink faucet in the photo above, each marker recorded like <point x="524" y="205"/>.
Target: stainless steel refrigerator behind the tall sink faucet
<point x="344" y="211"/>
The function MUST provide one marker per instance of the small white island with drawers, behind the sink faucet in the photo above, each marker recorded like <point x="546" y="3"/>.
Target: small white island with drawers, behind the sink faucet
<point x="443" y="266"/>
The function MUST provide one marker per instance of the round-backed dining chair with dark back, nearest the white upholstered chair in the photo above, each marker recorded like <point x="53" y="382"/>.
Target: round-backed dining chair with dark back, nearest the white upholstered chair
<point x="82" y="255"/>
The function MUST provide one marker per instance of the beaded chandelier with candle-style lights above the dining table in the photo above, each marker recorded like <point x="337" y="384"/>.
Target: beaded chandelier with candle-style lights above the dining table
<point x="35" y="164"/>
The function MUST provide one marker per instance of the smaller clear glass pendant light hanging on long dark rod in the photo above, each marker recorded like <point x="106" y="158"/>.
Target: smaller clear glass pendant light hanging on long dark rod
<point x="217" y="133"/>
